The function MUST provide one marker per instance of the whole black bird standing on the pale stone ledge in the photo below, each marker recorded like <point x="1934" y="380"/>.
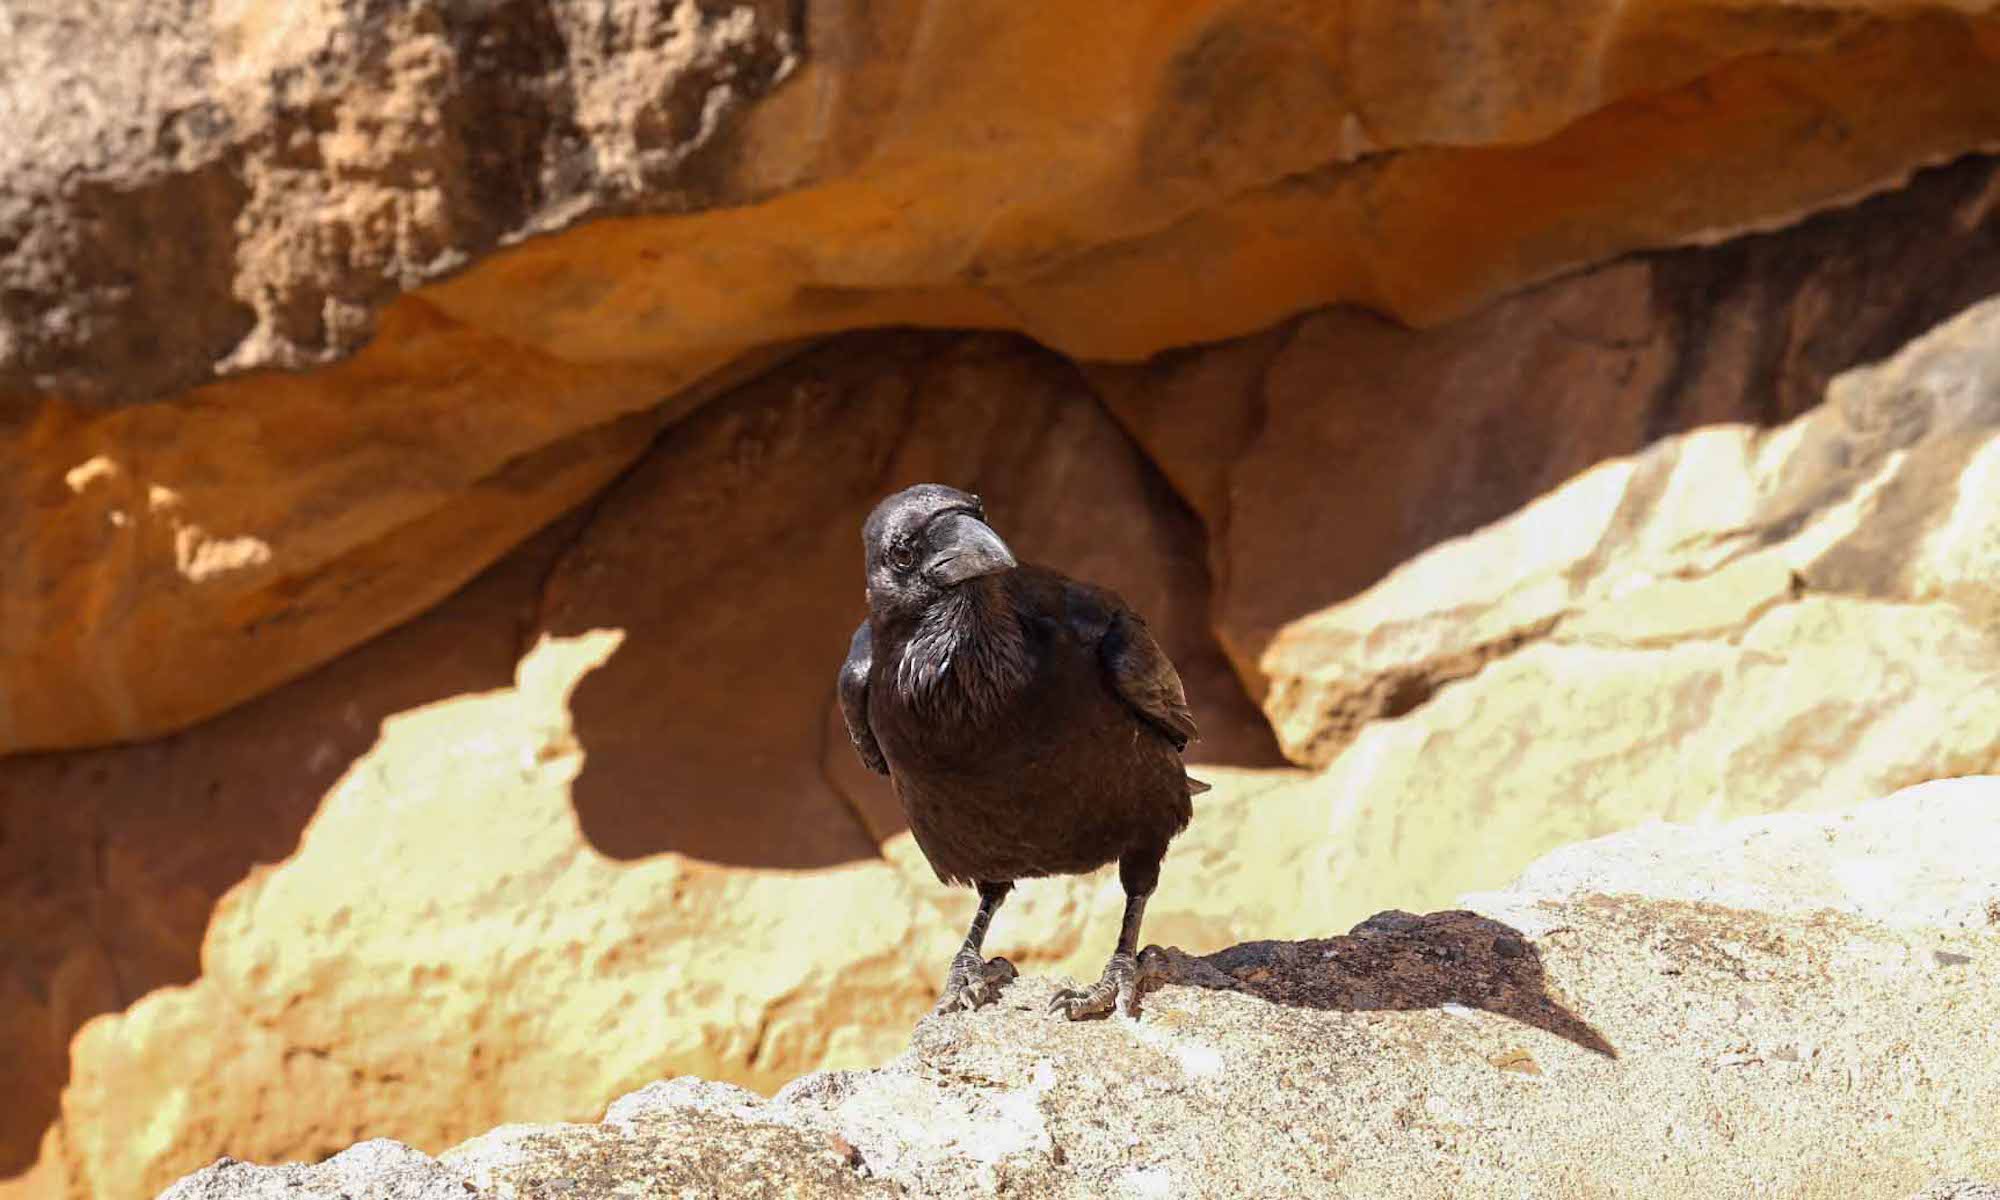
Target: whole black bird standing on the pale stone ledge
<point x="1029" y="723"/>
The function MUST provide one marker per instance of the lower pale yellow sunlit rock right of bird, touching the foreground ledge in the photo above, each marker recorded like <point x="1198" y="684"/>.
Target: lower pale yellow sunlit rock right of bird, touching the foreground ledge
<point x="1809" y="707"/>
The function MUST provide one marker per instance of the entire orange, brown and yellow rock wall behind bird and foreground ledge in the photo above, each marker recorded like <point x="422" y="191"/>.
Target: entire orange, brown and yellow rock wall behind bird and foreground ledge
<point x="433" y="439"/>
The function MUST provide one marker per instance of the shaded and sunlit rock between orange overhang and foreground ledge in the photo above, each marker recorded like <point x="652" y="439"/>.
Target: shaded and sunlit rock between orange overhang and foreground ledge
<point x="623" y="739"/>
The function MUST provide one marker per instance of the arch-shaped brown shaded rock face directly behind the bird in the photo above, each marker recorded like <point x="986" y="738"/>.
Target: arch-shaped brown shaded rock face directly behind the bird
<point x="731" y="561"/>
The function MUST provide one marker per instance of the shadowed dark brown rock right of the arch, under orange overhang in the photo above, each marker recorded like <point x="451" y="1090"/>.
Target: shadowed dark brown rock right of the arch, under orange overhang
<point x="1337" y="447"/>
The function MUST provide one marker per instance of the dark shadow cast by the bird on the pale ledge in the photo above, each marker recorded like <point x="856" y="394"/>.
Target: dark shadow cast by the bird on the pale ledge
<point x="1393" y="961"/>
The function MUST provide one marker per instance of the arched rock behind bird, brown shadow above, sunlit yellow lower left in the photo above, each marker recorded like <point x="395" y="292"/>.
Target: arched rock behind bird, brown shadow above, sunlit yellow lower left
<point x="657" y="895"/>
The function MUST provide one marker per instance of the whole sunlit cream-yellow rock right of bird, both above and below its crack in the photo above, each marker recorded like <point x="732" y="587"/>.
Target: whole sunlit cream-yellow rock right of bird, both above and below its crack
<point x="1737" y="621"/>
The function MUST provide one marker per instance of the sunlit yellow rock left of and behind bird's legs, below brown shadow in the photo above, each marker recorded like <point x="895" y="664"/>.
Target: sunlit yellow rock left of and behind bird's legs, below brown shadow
<point x="449" y="951"/>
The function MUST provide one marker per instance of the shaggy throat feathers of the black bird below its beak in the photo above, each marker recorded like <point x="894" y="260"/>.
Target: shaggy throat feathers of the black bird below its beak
<point x="967" y="655"/>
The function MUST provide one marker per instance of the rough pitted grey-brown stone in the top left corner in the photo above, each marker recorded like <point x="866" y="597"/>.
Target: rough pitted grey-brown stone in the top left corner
<point x="225" y="187"/>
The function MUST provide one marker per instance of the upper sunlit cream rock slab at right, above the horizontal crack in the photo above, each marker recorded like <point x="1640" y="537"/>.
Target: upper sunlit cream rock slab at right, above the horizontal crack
<point x="1881" y="497"/>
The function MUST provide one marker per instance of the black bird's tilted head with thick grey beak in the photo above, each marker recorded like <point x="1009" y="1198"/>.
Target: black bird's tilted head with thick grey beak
<point x="923" y="543"/>
